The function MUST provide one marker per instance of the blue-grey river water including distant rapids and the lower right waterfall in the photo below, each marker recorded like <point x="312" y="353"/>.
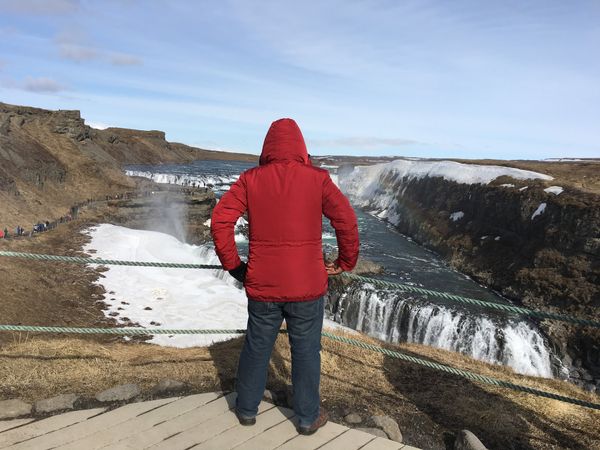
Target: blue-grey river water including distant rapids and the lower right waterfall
<point x="398" y="316"/>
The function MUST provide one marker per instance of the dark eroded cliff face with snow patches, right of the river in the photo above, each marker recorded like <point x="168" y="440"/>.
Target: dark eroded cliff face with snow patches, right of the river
<point x="534" y="246"/>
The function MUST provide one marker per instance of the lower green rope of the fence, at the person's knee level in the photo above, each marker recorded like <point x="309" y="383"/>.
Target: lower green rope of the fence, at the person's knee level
<point x="129" y="331"/>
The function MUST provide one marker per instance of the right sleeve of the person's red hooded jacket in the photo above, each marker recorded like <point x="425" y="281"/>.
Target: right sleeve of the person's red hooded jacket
<point x="338" y="210"/>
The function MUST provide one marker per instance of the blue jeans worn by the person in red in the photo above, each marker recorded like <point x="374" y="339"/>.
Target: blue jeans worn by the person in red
<point x="304" y="324"/>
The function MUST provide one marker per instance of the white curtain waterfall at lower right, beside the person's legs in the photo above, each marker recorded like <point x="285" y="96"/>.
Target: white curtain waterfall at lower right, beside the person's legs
<point x="398" y="317"/>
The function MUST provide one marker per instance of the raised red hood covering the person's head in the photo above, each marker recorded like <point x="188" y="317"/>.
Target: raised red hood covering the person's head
<point x="284" y="142"/>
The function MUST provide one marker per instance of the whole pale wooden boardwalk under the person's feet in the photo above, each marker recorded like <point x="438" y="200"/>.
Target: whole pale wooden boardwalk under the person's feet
<point x="203" y="421"/>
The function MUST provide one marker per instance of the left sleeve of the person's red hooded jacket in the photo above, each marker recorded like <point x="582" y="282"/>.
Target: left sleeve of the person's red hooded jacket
<point x="230" y="208"/>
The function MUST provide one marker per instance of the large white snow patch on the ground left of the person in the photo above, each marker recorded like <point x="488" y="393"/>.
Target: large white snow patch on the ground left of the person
<point x="175" y="298"/>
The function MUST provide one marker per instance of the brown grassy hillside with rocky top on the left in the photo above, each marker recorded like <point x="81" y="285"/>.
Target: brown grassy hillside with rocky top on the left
<point x="51" y="160"/>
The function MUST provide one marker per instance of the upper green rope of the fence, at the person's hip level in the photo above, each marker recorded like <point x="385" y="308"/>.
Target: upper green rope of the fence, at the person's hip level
<point x="376" y="282"/>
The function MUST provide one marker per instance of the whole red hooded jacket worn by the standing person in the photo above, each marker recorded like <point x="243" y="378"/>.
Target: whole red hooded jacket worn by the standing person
<point x="285" y="197"/>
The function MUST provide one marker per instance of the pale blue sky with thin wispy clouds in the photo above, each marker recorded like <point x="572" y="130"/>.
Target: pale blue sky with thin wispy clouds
<point x="472" y="79"/>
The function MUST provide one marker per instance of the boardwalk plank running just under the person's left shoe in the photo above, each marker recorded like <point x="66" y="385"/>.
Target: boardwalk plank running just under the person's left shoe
<point x="240" y="434"/>
